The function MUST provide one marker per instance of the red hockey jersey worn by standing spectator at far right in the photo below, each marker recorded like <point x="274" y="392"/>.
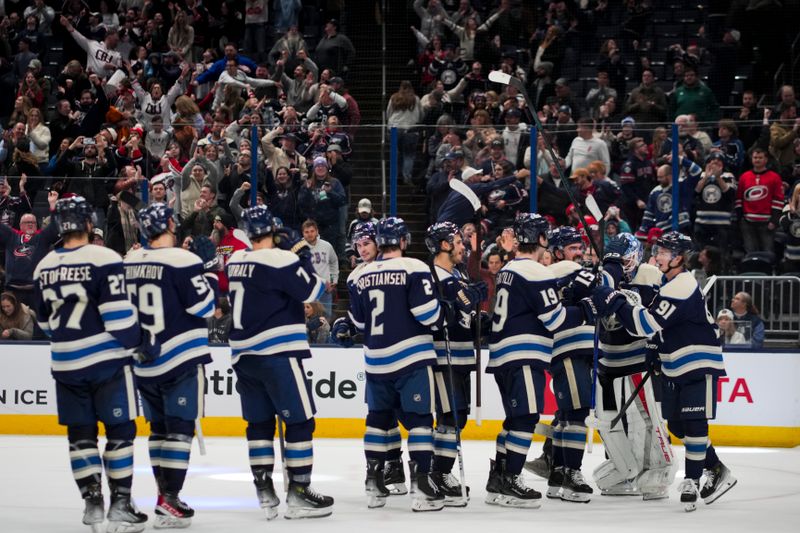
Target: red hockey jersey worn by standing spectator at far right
<point x="759" y="197"/>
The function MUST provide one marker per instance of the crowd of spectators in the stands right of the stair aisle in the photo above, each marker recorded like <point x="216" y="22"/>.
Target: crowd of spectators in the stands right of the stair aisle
<point x="738" y="165"/>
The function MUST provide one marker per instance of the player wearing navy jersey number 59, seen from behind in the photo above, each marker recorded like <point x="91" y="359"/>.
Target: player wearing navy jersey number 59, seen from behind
<point x="173" y="297"/>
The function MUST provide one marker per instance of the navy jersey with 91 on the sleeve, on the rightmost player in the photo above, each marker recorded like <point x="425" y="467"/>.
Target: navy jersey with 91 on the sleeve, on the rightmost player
<point x="685" y="332"/>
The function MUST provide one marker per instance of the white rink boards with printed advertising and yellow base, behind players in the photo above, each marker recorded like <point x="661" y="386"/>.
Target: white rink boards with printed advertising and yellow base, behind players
<point x="758" y="401"/>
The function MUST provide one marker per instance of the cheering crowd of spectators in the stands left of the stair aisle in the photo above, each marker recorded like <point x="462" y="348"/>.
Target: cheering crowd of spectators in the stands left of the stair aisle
<point x="135" y="101"/>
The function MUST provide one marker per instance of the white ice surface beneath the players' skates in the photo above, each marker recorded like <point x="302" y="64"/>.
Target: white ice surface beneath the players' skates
<point x="38" y="494"/>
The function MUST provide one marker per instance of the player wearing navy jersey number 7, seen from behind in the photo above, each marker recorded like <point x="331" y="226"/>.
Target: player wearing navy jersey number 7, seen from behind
<point x="268" y="286"/>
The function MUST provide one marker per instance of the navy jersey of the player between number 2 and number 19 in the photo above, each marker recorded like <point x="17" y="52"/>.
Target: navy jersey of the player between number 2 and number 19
<point x="462" y="352"/>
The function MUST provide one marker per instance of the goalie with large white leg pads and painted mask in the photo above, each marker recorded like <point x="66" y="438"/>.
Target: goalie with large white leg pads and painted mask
<point x="640" y="458"/>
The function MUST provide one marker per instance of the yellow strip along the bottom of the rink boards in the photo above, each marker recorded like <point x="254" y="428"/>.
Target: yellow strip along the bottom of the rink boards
<point x="353" y="428"/>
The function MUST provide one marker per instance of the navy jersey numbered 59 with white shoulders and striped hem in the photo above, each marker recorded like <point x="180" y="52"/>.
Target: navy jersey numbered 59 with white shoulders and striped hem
<point x="174" y="298"/>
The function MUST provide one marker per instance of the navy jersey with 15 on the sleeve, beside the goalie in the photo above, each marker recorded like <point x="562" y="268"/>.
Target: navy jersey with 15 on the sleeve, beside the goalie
<point x="572" y="340"/>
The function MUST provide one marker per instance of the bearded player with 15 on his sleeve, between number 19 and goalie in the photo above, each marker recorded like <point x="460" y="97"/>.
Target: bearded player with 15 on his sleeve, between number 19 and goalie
<point x="571" y="369"/>
